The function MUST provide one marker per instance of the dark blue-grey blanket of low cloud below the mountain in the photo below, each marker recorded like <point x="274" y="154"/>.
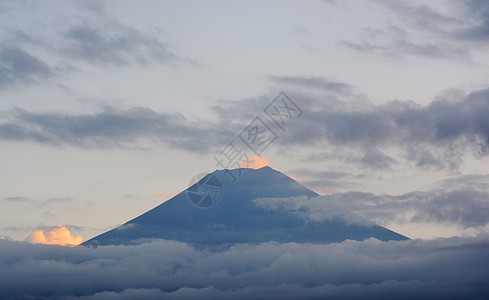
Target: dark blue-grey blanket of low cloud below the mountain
<point x="438" y="269"/>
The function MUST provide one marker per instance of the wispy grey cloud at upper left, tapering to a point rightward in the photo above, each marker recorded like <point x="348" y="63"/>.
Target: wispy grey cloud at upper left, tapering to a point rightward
<point x="104" y="41"/>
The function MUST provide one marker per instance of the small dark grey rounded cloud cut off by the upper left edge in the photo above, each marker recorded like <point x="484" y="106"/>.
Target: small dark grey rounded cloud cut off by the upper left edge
<point x="18" y="66"/>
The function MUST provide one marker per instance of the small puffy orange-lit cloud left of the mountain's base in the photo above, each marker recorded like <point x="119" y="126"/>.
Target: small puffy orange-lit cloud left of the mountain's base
<point x="59" y="235"/>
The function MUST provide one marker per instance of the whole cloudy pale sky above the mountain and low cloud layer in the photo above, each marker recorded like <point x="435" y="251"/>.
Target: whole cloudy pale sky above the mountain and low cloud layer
<point x="109" y="108"/>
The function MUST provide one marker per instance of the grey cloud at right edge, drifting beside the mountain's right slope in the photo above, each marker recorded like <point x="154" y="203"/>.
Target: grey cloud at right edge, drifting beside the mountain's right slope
<point x="455" y="201"/>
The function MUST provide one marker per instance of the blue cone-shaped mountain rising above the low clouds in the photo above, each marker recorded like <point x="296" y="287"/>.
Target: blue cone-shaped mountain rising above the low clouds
<point x="246" y="206"/>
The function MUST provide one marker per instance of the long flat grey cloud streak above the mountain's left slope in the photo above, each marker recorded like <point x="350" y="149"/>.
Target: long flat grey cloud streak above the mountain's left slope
<point x="112" y="128"/>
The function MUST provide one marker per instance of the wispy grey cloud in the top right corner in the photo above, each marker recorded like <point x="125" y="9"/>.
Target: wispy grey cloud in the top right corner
<point x="420" y="30"/>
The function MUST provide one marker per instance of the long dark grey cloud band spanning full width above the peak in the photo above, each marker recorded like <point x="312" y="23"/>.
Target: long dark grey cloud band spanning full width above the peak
<point x="434" y="136"/>
